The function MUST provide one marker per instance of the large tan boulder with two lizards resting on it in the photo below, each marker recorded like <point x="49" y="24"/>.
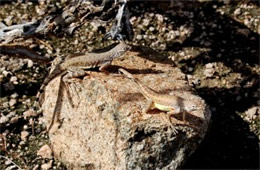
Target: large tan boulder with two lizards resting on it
<point x="103" y="126"/>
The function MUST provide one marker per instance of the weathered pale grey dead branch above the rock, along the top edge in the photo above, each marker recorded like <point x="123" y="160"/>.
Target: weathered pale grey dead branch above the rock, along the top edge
<point x="70" y="17"/>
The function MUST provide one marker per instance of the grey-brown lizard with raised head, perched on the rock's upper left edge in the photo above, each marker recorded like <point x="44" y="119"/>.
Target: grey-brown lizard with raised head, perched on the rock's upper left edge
<point x="76" y="65"/>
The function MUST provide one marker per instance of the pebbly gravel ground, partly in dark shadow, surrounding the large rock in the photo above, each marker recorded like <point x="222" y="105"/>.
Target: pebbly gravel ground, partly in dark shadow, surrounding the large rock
<point x="215" y="43"/>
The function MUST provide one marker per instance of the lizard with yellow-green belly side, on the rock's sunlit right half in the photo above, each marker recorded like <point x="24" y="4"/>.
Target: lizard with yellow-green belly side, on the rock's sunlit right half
<point x="171" y="104"/>
